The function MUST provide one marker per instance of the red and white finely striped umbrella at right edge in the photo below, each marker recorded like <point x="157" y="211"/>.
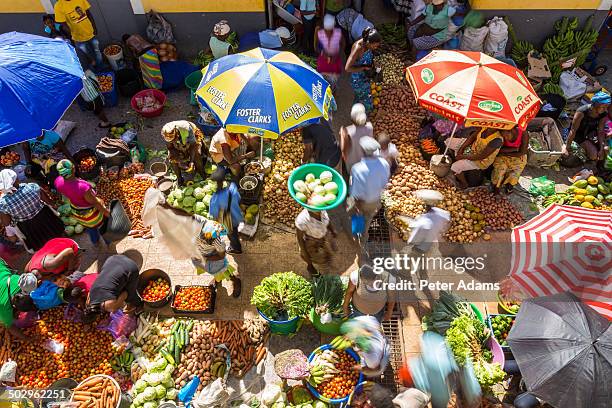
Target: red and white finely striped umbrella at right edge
<point x="566" y="249"/>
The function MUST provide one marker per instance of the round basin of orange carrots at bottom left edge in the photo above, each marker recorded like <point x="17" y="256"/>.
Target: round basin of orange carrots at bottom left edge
<point x="97" y="392"/>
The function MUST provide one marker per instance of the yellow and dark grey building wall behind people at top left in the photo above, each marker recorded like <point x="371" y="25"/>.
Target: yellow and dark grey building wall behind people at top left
<point x="117" y="17"/>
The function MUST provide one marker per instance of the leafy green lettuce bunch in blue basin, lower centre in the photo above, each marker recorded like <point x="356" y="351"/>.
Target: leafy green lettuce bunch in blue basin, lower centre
<point x="283" y="295"/>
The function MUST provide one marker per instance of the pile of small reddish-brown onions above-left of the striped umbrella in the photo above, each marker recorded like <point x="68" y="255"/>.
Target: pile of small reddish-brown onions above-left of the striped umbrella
<point x="498" y="212"/>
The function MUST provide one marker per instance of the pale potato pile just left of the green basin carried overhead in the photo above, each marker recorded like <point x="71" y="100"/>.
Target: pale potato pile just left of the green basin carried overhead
<point x="279" y="206"/>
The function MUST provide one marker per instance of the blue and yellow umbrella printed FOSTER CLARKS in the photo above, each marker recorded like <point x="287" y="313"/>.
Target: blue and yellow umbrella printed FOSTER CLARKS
<point x="264" y="92"/>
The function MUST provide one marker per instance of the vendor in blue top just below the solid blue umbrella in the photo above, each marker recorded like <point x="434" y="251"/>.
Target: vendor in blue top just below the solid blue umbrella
<point x="43" y="153"/>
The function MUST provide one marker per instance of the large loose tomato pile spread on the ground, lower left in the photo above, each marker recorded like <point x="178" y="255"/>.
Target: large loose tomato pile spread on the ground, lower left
<point x="87" y="351"/>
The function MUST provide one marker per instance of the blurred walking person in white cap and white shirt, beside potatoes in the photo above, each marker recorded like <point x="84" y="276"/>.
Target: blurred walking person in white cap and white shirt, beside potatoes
<point x="429" y="227"/>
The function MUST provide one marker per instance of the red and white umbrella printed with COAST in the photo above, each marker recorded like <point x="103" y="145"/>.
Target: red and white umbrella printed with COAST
<point x="474" y="89"/>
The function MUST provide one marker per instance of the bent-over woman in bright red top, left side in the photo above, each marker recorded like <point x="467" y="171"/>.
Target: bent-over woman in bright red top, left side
<point x="59" y="256"/>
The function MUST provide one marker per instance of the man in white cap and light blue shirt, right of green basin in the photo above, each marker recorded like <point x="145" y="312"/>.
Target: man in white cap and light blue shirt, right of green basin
<point x="368" y="180"/>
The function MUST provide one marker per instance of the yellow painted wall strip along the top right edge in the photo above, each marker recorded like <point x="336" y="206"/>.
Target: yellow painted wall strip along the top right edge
<point x="535" y="4"/>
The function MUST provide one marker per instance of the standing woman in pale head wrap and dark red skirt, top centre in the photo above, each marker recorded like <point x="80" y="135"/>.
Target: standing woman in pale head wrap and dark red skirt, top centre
<point x="329" y="43"/>
